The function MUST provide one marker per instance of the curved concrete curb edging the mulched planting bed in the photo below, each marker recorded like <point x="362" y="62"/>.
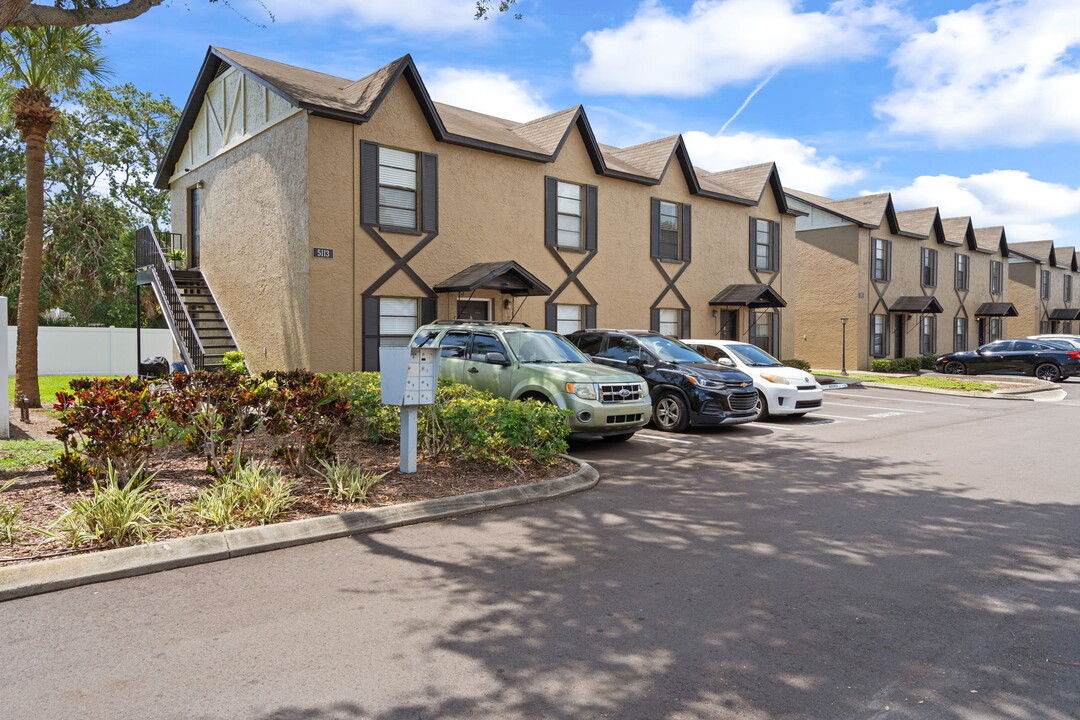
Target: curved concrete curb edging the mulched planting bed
<point x="61" y="574"/>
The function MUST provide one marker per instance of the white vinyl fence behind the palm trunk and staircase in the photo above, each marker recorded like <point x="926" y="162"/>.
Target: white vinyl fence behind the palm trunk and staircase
<point x="92" y="350"/>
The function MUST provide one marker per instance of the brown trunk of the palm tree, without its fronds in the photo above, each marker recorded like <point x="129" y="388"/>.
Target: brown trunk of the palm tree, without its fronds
<point x="30" y="287"/>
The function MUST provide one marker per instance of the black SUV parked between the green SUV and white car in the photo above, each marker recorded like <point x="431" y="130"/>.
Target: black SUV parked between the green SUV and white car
<point x="687" y="389"/>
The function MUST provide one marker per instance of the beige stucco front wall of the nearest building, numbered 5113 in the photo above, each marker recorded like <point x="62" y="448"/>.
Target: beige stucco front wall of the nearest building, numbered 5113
<point x="492" y="208"/>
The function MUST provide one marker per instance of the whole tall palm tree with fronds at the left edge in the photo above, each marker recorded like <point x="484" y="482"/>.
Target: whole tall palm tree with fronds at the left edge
<point x="36" y="65"/>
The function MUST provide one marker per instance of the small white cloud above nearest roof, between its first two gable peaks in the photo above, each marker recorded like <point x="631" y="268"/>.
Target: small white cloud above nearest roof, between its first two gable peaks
<point x="488" y="92"/>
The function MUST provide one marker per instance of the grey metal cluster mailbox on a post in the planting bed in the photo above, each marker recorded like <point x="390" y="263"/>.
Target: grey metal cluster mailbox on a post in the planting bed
<point x="409" y="378"/>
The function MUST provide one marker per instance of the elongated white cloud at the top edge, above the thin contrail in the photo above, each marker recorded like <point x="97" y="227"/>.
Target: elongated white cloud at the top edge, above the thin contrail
<point x="720" y="43"/>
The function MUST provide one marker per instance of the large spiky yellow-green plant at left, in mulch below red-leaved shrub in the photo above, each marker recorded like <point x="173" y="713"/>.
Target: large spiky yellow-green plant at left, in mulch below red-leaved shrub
<point x="124" y="511"/>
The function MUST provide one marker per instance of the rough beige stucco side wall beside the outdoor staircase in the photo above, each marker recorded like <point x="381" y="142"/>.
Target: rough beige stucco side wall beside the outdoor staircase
<point x="254" y="241"/>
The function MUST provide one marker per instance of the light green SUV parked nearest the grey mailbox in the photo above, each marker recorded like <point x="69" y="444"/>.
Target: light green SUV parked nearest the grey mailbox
<point x="518" y="362"/>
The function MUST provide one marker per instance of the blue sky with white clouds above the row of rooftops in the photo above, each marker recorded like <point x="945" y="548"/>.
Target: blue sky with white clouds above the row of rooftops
<point x="974" y="107"/>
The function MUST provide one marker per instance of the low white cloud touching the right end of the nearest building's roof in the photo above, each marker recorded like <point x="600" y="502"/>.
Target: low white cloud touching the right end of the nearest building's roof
<point x="800" y="166"/>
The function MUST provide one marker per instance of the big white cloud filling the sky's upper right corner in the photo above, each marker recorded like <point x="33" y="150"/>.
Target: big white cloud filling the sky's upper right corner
<point x="1004" y="72"/>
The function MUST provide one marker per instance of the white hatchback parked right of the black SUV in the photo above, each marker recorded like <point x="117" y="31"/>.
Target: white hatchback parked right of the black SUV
<point x="784" y="390"/>
